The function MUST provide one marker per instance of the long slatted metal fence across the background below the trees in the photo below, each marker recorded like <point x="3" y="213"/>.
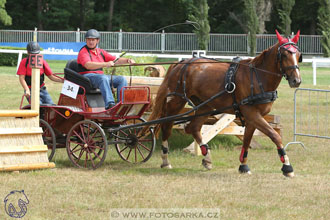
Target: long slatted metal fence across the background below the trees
<point x="163" y="42"/>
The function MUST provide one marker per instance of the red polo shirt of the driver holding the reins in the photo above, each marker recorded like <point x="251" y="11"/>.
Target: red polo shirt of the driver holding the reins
<point x="86" y="55"/>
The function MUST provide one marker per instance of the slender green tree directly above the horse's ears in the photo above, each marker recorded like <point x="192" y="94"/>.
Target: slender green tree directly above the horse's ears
<point x="284" y="14"/>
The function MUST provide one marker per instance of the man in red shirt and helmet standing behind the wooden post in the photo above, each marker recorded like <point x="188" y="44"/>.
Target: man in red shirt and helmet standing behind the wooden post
<point x="24" y="72"/>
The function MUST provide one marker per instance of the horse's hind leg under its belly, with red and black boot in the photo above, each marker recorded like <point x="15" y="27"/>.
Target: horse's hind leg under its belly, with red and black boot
<point x="194" y="128"/>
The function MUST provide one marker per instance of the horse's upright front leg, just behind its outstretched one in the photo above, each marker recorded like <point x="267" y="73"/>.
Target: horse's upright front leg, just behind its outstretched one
<point x="248" y="133"/>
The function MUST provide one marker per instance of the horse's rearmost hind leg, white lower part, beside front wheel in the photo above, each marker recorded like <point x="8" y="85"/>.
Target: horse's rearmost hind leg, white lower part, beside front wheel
<point x="173" y="107"/>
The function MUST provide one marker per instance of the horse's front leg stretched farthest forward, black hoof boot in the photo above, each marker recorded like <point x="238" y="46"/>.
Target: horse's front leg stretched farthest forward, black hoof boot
<point x="260" y="123"/>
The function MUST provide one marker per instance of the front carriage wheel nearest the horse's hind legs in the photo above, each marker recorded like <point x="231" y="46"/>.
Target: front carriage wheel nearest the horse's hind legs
<point x="136" y="148"/>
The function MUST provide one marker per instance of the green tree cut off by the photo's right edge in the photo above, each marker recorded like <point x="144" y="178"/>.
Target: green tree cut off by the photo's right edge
<point x="324" y="25"/>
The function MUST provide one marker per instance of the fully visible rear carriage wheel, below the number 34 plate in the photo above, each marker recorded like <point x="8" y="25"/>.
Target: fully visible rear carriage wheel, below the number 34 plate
<point x="87" y="145"/>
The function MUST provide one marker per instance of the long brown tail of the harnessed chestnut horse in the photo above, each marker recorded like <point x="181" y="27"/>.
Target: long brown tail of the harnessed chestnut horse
<point x="159" y="103"/>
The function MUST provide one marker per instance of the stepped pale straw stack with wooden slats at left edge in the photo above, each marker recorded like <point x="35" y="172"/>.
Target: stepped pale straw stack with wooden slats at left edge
<point x="21" y="143"/>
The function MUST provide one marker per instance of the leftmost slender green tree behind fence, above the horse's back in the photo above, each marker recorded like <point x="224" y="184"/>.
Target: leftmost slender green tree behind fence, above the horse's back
<point x="199" y="14"/>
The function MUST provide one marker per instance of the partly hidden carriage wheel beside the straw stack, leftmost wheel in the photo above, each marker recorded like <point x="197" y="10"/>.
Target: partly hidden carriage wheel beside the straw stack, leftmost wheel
<point x="49" y="138"/>
